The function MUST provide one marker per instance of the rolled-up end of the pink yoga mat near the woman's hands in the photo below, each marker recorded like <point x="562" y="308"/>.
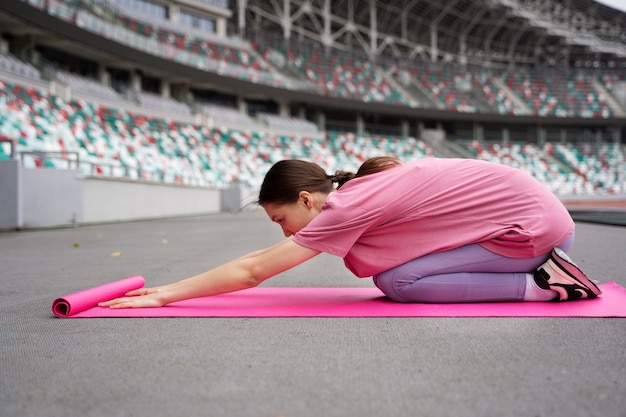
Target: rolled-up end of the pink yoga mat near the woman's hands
<point x="71" y="304"/>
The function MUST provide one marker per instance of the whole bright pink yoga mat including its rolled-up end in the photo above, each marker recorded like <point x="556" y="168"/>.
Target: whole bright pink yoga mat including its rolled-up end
<point x="328" y="302"/>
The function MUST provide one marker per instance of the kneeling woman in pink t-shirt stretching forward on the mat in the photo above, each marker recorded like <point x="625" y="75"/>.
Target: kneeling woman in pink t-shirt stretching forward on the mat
<point x="433" y="230"/>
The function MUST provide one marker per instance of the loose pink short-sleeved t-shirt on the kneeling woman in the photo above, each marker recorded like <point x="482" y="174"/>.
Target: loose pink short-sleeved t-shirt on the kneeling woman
<point x="431" y="205"/>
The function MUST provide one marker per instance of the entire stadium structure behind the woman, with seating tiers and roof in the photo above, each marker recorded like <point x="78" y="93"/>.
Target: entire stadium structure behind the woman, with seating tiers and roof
<point x="208" y="94"/>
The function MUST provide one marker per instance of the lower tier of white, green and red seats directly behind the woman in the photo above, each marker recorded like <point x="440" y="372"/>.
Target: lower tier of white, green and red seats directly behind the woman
<point x="117" y="143"/>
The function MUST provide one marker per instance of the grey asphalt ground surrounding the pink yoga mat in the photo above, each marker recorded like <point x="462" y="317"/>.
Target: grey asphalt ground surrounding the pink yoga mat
<point x="287" y="367"/>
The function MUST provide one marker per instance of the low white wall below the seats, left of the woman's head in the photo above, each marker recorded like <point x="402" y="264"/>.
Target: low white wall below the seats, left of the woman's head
<point x="32" y="198"/>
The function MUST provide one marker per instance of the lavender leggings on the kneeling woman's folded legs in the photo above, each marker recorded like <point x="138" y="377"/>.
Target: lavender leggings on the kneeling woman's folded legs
<point x="466" y="274"/>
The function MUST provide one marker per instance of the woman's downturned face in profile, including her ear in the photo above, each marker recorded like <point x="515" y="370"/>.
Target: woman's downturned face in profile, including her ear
<point x="294" y="216"/>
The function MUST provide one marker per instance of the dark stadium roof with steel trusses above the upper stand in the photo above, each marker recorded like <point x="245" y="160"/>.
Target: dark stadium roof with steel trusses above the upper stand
<point x="486" y="32"/>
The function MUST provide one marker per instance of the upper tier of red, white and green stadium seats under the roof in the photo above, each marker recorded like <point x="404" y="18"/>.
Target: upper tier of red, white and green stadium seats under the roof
<point x="545" y="94"/>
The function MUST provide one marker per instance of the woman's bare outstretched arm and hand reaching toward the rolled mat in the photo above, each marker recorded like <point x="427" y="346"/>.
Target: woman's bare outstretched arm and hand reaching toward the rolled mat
<point x="245" y="272"/>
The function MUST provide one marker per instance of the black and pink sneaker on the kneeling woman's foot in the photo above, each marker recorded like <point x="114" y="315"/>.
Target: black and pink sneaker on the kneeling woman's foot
<point x="559" y="273"/>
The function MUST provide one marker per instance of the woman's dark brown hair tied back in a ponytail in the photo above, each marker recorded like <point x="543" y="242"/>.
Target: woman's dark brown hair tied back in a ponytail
<point x="285" y="179"/>
